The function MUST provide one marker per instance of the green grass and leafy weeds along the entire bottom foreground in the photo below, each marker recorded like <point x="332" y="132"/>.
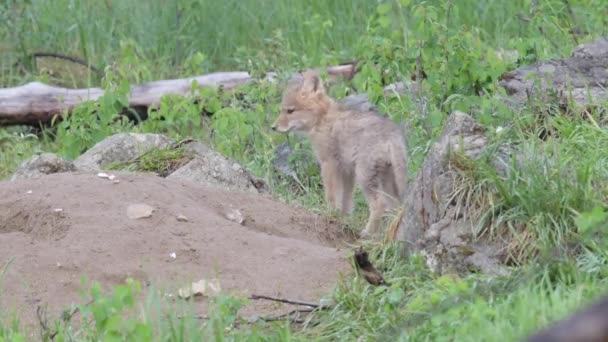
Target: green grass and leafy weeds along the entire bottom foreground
<point x="418" y="306"/>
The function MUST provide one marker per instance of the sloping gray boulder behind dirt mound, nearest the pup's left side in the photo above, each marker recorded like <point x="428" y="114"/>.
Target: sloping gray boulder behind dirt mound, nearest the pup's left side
<point x="213" y="169"/>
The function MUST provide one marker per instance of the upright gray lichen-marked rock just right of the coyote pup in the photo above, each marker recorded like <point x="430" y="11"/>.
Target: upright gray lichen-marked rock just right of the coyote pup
<point x="434" y="224"/>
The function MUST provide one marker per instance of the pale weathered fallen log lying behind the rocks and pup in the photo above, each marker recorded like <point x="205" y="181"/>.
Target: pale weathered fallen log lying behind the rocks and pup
<point x="37" y="103"/>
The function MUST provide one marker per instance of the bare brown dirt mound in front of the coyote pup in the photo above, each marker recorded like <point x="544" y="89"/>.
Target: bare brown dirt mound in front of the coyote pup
<point x="59" y="227"/>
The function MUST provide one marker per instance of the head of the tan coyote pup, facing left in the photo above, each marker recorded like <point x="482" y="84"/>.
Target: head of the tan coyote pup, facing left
<point x="304" y="104"/>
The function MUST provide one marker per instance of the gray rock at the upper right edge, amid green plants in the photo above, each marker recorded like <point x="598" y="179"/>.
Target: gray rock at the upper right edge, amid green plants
<point x="584" y="76"/>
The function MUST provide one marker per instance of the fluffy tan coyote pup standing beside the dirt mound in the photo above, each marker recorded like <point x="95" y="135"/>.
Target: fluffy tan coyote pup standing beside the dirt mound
<point x="349" y="146"/>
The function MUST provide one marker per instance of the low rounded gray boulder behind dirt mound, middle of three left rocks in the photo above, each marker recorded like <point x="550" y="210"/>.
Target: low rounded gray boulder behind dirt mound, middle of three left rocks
<point x="119" y="148"/>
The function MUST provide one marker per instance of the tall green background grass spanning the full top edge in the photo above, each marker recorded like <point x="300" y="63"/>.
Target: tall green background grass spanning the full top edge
<point x="169" y="35"/>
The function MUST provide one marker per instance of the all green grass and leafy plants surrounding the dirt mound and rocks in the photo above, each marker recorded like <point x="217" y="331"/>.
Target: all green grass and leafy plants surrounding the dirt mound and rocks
<point x="553" y="199"/>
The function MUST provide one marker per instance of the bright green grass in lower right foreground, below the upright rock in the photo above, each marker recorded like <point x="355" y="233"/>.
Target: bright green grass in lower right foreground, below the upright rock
<point x="421" y="306"/>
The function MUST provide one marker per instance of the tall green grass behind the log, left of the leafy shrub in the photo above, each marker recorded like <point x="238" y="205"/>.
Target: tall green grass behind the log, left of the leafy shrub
<point x="170" y="33"/>
